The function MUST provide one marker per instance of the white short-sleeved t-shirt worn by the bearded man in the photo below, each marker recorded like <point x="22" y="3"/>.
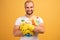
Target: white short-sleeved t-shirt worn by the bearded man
<point x="36" y="19"/>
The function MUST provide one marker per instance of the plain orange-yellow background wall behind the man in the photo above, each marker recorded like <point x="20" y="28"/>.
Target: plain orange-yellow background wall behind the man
<point x="49" y="10"/>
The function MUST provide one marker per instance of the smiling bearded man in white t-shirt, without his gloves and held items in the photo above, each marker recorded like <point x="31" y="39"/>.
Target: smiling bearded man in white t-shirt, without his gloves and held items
<point x="29" y="8"/>
